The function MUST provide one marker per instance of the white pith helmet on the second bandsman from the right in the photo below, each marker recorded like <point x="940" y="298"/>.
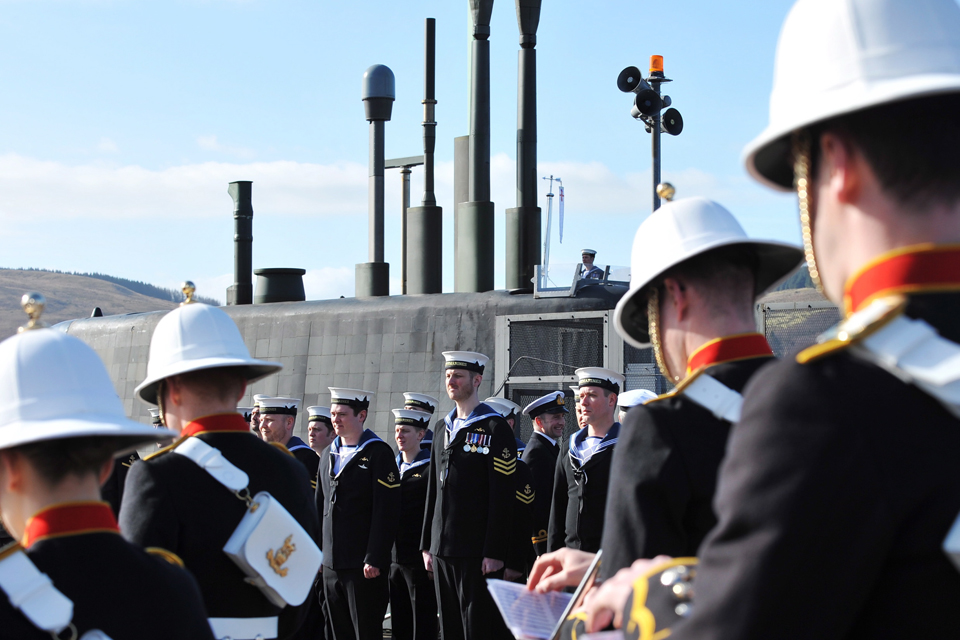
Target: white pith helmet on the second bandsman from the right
<point x="680" y="230"/>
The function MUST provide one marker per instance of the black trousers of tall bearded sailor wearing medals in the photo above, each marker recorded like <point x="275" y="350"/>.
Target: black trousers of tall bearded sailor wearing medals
<point x="467" y="611"/>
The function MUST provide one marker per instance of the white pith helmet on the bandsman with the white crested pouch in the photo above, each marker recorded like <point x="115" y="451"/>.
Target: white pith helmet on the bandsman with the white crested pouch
<point x="194" y="337"/>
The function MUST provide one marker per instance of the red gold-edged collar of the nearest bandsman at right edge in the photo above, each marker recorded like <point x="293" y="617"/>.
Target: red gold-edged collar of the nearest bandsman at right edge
<point x="925" y="267"/>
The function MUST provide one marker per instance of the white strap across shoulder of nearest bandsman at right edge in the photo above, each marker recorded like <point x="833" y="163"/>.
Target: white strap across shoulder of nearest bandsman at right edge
<point x="913" y="351"/>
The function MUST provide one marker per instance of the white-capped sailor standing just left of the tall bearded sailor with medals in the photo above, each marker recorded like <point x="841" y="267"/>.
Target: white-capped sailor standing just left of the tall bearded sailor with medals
<point x="413" y="599"/>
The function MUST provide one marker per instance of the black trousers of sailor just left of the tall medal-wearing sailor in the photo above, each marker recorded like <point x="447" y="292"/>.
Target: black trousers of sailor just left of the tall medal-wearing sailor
<point x="413" y="603"/>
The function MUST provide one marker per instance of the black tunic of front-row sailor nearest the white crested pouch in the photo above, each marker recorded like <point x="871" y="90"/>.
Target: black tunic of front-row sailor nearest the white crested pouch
<point x="360" y="505"/>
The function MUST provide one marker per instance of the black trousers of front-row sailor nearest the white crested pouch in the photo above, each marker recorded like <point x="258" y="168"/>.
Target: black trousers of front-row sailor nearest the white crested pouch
<point x="356" y="605"/>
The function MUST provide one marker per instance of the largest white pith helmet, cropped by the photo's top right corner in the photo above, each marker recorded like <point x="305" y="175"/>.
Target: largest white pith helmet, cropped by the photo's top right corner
<point x="839" y="56"/>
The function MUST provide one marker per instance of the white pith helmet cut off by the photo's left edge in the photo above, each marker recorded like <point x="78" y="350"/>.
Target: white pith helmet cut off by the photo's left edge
<point x="54" y="386"/>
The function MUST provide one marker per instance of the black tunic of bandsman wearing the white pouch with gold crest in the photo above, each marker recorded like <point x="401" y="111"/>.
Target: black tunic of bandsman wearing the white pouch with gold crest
<point x="171" y="502"/>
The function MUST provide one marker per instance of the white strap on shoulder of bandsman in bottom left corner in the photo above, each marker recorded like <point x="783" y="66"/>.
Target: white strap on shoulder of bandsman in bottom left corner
<point x="33" y="593"/>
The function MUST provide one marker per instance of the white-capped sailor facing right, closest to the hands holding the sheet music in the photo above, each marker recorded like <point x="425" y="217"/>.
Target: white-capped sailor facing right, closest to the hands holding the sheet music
<point x="582" y="472"/>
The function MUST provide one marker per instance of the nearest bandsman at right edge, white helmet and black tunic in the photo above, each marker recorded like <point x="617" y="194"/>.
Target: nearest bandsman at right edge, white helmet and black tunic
<point x="865" y="125"/>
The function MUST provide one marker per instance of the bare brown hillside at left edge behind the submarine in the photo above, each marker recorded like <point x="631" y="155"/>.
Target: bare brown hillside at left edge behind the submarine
<point x="68" y="297"/>
